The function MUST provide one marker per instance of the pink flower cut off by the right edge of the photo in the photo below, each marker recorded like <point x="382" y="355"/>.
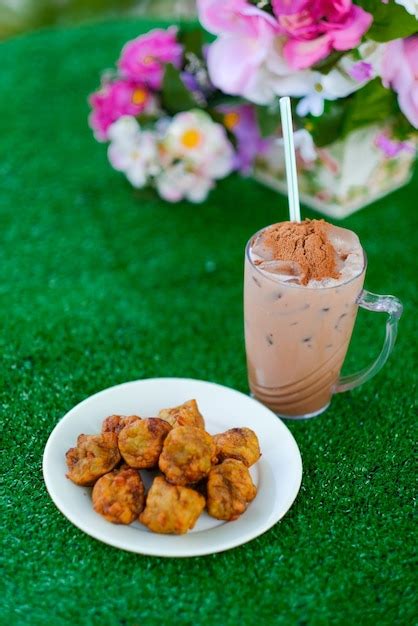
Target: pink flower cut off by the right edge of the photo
<point x="400" y="71"/>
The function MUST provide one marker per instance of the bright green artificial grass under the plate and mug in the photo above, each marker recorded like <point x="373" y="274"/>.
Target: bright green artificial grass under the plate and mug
<point x="100" y="284"/>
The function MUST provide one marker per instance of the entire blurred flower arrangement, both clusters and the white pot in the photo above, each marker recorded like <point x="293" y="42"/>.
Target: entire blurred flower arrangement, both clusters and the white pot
<point x="181" y="114"/>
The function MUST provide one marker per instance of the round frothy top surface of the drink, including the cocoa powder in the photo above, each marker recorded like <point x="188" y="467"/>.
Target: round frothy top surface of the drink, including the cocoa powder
<point x="311" y="253"/>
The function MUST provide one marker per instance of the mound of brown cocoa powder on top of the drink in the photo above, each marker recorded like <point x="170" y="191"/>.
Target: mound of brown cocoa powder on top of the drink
<point x="307" y="244"/>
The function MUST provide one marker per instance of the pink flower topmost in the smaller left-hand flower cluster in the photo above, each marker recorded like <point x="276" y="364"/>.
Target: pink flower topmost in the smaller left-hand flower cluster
<point x="143" y="58"/>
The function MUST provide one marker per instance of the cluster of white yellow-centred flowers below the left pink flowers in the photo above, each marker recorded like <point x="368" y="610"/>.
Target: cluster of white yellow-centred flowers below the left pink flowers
<point x="182" y="156"/>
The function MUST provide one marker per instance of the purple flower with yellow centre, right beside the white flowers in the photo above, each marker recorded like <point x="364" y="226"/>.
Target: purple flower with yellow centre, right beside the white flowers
<point x="241" y="121"/>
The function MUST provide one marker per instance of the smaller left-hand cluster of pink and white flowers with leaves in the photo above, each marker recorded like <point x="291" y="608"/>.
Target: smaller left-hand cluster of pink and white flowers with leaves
<point x="154" y="113"/>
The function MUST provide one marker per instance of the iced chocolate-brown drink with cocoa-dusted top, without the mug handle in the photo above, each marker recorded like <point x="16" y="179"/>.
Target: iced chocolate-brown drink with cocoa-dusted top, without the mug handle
<point x="302" y="281"/>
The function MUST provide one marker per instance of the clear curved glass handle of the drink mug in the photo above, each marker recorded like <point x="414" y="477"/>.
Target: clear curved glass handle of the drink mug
<point x="382" y="304"/>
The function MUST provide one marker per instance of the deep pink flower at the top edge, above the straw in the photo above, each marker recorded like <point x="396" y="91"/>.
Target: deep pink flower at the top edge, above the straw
<point x="318" y="27"/>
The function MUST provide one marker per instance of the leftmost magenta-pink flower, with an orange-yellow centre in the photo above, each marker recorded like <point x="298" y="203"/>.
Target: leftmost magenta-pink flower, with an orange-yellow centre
<point x="122" y="97"/>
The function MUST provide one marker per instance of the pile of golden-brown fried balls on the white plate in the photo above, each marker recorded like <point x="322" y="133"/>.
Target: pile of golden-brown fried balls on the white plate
<point x="197" y="469"/>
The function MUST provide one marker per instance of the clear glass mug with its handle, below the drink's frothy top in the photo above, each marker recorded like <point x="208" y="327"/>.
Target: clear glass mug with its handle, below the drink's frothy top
<point x="296" y="339"/>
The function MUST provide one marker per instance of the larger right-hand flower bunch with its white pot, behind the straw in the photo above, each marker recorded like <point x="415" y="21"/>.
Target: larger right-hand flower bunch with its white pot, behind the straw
<point x="352" y="71"/>
